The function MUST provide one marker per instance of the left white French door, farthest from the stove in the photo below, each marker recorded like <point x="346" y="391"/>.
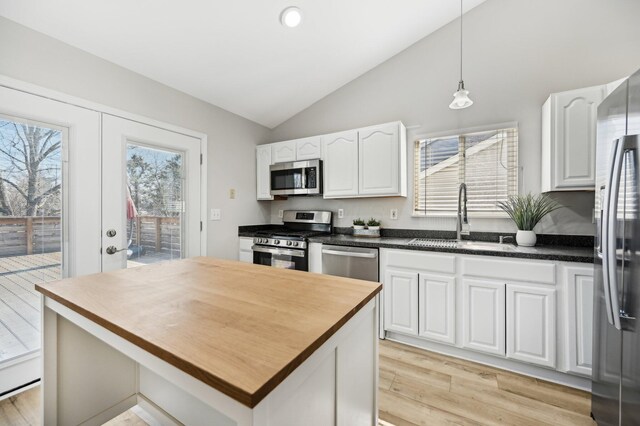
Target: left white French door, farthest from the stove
<point x="49" y="216"/>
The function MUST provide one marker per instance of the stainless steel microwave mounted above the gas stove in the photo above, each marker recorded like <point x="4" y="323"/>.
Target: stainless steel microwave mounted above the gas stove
<point x="296" y="178"/>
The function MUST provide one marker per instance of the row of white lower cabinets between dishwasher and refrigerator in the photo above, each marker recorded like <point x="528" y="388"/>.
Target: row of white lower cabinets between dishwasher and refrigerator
<point x="521" y="312"/>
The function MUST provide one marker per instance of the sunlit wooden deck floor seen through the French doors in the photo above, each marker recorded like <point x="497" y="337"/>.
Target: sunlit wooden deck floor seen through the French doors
<point x="20" y="303"/>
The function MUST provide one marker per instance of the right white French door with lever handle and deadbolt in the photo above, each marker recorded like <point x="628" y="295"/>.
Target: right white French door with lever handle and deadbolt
<point x="150" y="194"/>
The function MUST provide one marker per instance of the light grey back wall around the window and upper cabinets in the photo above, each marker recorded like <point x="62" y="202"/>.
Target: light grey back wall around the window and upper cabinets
<point x="516" y="52"/>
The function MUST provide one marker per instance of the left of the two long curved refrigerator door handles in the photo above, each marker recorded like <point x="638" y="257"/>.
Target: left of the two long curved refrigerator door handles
<point x="606" y="247"/>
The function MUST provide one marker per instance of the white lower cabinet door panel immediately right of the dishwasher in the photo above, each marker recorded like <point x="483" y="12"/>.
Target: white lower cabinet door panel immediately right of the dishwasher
<point x="401" y="302"/>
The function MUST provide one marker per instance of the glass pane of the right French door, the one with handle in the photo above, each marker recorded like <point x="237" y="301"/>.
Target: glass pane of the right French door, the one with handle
<point x="154" y="204"/>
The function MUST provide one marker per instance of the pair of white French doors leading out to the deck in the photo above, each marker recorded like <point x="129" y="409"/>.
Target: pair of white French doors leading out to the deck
<point x="81" y="192"/>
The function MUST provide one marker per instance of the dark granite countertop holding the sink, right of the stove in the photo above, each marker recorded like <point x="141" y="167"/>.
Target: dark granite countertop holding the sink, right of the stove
<point x="550" y="252"/>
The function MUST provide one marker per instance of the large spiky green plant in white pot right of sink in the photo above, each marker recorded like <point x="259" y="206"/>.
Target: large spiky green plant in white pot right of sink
<point x="526" y="211"/>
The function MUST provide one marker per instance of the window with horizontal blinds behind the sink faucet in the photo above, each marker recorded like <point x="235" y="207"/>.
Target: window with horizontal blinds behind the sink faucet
<point x="486" y="161"/>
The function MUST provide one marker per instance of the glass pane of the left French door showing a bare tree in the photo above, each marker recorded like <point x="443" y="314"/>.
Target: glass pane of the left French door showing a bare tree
<point x="31" y="175"/>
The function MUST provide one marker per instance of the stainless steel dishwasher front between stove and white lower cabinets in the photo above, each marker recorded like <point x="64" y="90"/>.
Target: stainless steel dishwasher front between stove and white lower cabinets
<point x="350" y="262"/>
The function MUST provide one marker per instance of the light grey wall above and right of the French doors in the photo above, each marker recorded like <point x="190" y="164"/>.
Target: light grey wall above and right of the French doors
<point x="35" y="58"/>
